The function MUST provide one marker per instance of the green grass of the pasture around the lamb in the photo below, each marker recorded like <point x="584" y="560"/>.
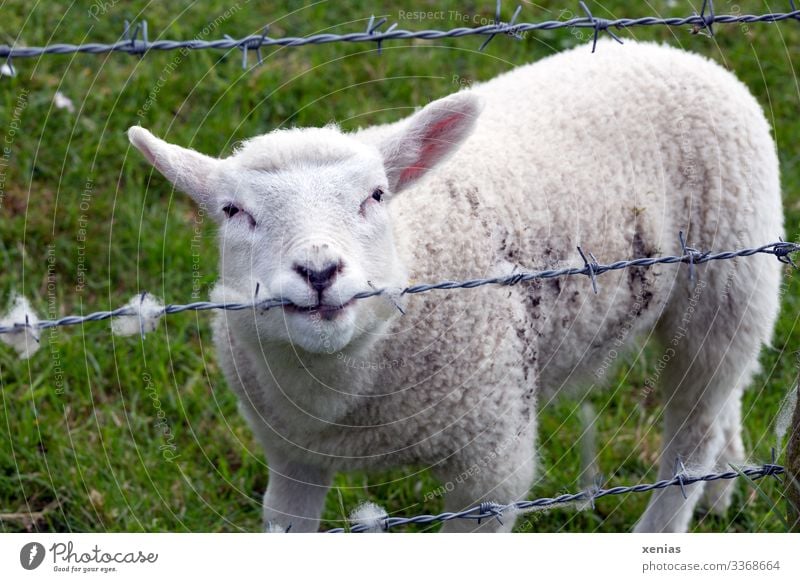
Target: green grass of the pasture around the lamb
<point x="84" y="225"/>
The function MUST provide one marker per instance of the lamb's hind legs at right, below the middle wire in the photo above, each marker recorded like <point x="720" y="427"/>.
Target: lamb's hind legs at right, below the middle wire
<point x="712" y="342"/>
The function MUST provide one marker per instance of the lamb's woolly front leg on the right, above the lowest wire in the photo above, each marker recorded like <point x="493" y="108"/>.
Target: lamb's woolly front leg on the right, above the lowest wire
<point x="500" y="473"/>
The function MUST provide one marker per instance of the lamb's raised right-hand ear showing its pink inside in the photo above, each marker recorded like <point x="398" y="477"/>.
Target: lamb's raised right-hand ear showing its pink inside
<point x="428" y="137"/>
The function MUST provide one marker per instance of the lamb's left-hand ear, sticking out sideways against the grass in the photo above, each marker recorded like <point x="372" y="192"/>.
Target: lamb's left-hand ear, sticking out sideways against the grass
<point x="187" y="169"/>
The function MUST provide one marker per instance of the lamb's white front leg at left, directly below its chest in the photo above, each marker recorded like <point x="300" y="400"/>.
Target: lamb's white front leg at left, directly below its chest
<point x="295" y="496"/>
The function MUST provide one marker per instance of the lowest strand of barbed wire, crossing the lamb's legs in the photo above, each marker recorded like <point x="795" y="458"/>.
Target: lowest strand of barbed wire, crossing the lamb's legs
<point x="488" y="510"/>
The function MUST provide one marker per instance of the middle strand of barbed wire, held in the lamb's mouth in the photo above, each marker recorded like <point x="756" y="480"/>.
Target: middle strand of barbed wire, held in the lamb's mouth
<point x="591" y="268"/>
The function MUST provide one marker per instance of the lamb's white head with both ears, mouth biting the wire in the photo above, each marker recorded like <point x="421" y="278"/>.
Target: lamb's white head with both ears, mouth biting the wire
<point x="305" y="215"/>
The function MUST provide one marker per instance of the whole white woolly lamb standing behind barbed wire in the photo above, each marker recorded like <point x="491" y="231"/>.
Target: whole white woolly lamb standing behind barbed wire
<point x="615" y="151"/>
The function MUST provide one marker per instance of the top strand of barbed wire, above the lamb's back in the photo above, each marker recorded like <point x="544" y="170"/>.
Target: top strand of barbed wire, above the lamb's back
<point x="135" y="41"/>
